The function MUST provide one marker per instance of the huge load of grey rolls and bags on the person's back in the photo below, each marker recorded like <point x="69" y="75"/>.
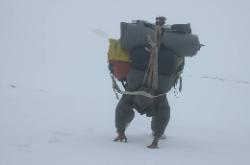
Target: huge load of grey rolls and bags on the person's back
<point x="130" y="55"/>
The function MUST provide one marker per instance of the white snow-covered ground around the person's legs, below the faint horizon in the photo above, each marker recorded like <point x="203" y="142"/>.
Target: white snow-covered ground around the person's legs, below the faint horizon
<point x="42" y="127"/>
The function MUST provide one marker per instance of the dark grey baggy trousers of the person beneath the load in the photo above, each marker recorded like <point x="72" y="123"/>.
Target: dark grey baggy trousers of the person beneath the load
<point x="124" y="114"/>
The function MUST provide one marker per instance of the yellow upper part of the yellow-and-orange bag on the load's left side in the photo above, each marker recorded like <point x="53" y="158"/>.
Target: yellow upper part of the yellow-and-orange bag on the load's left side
<point x="116" y="52"/>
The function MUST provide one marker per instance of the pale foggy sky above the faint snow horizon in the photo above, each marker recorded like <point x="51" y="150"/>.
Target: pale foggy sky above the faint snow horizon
<point x="50" y="44"/>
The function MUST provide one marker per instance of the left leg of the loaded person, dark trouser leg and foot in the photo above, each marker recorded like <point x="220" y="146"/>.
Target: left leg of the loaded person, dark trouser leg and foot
<point x="124" y="114"/>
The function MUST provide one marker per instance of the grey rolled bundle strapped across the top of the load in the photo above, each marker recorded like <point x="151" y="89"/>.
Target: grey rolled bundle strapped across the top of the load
<point x="177" y="38"/>
